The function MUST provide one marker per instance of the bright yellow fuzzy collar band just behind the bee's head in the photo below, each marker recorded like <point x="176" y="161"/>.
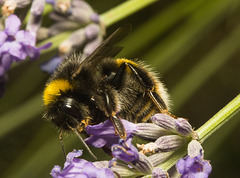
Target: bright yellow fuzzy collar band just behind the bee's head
<point x="54" y="89"/>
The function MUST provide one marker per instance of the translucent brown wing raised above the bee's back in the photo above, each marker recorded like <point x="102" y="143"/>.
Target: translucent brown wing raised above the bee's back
<point x="106" y="49"/>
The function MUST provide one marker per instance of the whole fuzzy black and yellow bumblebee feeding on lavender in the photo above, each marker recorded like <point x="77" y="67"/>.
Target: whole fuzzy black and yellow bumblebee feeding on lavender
<point x="101" y="87"/>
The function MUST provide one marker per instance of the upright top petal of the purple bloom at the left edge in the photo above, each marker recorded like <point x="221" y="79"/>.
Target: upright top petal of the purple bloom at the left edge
<point x="12" y="24"/>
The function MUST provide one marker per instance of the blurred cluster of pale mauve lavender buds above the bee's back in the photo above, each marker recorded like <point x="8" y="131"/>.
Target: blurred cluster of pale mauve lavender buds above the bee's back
<point x="70" y="15"/>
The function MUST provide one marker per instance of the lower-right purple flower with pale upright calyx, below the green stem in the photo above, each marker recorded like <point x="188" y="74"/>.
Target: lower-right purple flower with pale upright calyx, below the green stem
<point x="194" y="165"/>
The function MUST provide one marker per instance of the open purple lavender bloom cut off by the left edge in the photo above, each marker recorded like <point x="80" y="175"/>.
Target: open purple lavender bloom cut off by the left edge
<point x="16" y="45"/>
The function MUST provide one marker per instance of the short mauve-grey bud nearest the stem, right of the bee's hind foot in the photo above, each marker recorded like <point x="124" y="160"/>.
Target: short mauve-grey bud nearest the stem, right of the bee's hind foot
<point x="183" y="127"/>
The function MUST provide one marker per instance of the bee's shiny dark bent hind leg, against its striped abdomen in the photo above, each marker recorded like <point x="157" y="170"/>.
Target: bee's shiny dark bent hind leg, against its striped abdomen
<point x="148" y="83"/>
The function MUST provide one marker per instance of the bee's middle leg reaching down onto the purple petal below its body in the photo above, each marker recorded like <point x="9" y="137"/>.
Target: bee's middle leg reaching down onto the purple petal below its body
<point x="118" y="125"/>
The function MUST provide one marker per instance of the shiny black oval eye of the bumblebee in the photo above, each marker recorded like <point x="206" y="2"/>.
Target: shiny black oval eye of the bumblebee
<point x="71" y="108"/>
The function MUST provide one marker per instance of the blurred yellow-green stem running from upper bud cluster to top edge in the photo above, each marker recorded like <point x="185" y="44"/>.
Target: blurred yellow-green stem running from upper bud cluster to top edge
<point x="124" y="10"/>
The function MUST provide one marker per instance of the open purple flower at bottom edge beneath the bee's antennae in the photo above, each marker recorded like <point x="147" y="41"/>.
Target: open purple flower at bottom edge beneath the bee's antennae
<point x="75" y="167"/>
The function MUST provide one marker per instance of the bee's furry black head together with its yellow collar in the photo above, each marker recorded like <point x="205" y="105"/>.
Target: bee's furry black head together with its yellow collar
<point x="62" y="108"/>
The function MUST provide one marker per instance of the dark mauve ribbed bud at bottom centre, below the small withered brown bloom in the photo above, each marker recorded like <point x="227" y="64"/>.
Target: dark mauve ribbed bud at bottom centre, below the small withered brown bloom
<point x="143" y="164"/>
